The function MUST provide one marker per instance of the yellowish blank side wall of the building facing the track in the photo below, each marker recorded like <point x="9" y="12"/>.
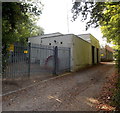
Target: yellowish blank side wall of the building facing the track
<point x="82" y="56"/>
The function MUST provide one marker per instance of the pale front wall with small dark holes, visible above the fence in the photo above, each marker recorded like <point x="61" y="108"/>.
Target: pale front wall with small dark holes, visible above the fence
<point x="56" y="41"/>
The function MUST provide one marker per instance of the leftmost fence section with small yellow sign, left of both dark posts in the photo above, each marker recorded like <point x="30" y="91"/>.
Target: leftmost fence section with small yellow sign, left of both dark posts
<point x="17" y="62"/>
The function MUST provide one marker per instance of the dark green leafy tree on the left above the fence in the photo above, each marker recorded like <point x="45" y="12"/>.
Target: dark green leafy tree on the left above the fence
<point x="18" y="23"/>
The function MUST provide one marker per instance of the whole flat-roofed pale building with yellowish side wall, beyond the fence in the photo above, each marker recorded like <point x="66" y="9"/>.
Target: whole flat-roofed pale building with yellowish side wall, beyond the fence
<point x="84" y="48"/>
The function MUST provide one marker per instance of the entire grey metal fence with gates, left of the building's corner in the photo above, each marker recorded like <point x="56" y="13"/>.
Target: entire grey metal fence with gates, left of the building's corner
<point x="35" y="59"/>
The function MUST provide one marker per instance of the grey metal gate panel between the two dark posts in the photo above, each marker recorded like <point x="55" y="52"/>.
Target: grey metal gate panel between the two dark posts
<point x="40" y="59"/>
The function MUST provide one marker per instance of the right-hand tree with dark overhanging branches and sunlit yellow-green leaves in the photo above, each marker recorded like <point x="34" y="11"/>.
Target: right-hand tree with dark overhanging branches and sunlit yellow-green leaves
<point x="103" y="14"/>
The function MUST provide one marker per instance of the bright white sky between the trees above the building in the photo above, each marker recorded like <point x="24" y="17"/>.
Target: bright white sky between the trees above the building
<point x="56" y="17"/>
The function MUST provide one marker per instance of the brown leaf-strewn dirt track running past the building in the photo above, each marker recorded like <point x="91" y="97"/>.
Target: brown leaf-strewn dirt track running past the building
<point x="74" y="92"/>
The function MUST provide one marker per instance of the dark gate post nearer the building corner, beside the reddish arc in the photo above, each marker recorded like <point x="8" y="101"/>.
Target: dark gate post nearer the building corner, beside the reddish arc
<point x="55" y="70"/>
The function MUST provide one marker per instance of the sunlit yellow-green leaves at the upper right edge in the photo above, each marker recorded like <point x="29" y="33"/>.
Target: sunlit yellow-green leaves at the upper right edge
<point x="110" y="28"/>
